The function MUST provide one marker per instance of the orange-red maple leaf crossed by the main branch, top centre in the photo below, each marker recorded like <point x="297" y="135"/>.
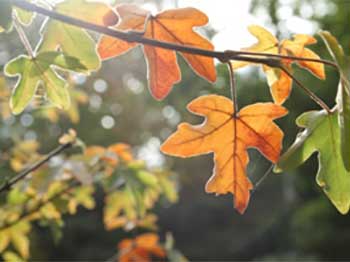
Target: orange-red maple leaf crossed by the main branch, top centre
<point x="173" y="26"/>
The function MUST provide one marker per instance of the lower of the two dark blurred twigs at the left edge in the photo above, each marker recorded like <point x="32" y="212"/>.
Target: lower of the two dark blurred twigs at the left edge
<point x="41" y="205"/>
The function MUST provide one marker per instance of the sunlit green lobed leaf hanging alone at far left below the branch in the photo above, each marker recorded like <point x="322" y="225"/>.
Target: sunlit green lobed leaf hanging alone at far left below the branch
<point x="40" y="70"/>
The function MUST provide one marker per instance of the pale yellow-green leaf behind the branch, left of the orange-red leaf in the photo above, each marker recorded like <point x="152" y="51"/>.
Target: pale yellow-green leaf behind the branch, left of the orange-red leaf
<point x="72" y="40"/>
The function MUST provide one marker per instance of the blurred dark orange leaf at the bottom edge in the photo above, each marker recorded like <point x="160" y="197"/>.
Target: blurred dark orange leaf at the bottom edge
<point x="141" y="249"/>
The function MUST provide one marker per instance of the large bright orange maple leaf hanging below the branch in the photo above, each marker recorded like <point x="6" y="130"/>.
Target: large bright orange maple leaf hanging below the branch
<point x="229" y="135"/>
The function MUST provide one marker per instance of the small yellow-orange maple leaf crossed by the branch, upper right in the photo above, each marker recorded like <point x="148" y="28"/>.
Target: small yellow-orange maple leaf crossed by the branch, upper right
<point x="280" y="83"/>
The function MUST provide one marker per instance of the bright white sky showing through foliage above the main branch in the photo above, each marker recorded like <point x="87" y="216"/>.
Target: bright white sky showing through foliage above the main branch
<point x="230" y="18"/>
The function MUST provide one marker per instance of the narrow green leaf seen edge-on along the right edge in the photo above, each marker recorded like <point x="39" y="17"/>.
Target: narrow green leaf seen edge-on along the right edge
<point x="343" y="97"/>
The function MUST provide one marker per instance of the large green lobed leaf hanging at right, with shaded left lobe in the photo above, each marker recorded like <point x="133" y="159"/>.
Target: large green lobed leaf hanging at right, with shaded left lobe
<point x="321" y="134"/>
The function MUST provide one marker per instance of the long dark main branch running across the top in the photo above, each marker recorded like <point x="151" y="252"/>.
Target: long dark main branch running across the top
<point x="267" y="59"/>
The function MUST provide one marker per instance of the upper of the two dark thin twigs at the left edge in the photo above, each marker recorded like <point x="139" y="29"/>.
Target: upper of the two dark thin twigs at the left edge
<point x="8" y="184"/>
